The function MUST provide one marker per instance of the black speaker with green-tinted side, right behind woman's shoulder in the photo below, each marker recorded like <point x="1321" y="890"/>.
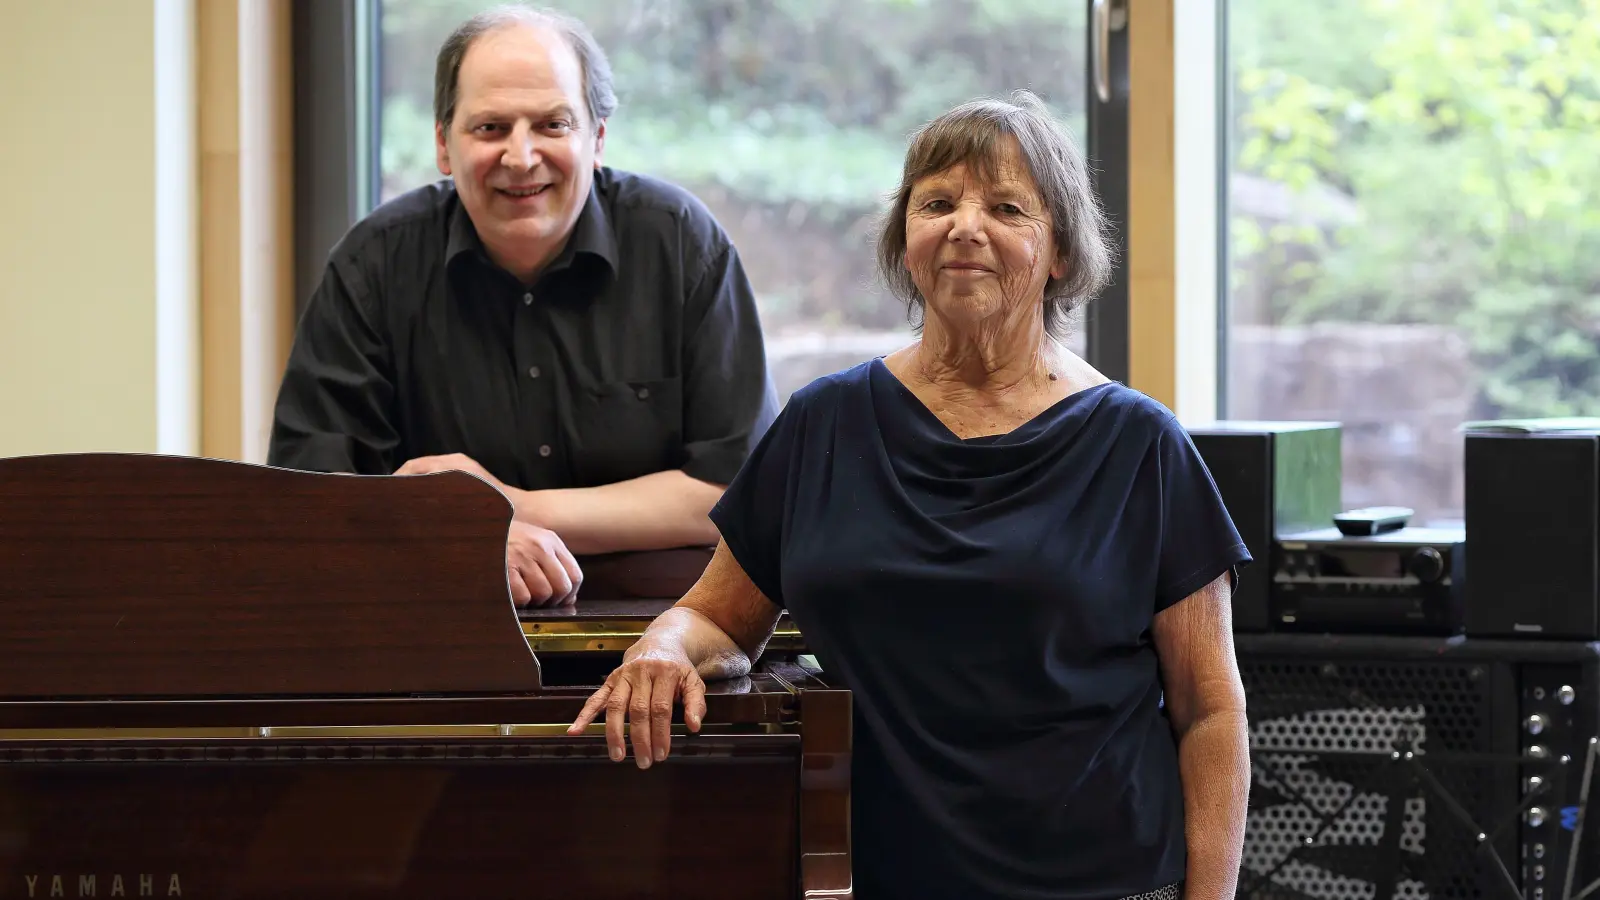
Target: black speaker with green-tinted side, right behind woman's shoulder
<point x="1274" y="478"/>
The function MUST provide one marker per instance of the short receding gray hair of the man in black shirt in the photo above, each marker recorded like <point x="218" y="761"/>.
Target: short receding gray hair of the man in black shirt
<point x="599" y="94"/>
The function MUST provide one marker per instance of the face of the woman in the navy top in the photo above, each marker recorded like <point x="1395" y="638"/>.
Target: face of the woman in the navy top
<point x="980" y="251"/>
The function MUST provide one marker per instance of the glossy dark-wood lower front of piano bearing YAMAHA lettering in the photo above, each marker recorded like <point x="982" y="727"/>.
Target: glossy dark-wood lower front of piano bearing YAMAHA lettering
<point x="425" y="798"/>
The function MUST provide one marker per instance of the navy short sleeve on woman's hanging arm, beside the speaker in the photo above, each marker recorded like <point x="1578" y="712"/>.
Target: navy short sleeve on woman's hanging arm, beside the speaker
<point x="1199" y="539"/>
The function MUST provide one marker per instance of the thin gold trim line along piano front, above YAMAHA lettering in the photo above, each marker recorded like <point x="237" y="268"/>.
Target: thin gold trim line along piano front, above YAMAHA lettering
<point x="359" y="733"/>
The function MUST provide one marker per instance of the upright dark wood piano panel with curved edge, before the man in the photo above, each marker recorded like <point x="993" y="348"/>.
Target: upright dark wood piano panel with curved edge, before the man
<point x="143" y="577"/>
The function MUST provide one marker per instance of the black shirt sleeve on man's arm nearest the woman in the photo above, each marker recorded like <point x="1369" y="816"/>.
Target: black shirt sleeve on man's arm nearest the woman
<point x="729" y="398"/>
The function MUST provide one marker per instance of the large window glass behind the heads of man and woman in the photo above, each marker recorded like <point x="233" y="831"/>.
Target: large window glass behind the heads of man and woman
<point x="786" y="118"/>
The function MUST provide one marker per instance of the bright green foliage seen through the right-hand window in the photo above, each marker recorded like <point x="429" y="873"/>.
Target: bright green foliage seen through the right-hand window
<point x="1468" y="135"/>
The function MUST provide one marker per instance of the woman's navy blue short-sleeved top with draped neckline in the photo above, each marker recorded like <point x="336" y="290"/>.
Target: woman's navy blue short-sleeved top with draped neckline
<point x="990" y="606"/>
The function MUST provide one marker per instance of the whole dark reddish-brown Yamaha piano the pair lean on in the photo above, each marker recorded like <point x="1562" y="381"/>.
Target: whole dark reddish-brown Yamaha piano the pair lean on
<point x="222" y="680"/>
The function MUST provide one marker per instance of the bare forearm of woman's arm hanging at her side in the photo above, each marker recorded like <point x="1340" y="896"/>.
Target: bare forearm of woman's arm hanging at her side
<point x="1214" y="761"/>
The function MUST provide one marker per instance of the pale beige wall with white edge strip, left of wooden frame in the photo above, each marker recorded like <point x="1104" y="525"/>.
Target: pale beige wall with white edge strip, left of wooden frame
<point x="97" y="260"/>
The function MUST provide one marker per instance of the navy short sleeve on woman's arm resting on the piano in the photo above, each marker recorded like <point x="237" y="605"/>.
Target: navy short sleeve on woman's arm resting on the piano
<point x="754" y="510"/>
